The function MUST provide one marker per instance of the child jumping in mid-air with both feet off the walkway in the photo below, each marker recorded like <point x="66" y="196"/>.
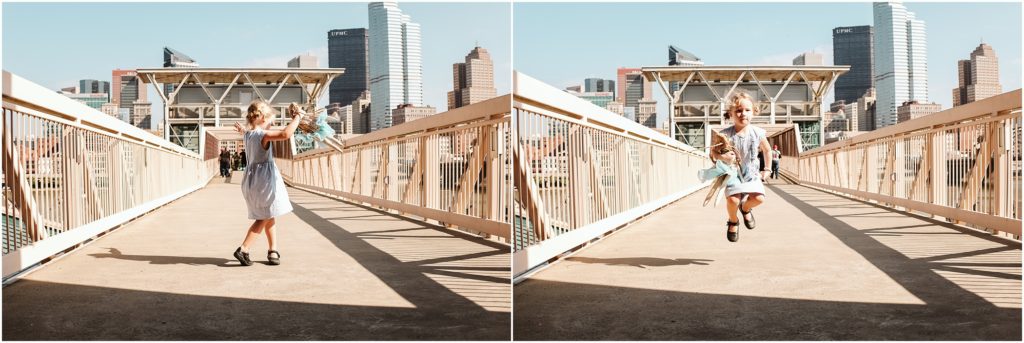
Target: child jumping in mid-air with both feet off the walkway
<point x="748" y="141"/>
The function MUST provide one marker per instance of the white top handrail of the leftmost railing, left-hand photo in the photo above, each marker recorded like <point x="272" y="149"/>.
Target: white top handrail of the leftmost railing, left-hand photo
<point x="23" y="93"/>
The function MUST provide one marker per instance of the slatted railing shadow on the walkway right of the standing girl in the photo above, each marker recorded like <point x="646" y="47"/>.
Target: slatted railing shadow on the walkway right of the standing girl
<point x="457" y="277"/>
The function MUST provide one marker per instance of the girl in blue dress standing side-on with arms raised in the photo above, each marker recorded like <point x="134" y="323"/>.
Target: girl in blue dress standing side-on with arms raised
<point x="263" y="187"/>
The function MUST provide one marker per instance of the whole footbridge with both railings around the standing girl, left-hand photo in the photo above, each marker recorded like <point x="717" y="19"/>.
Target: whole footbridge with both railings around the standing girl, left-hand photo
<point x="114" y="234"/>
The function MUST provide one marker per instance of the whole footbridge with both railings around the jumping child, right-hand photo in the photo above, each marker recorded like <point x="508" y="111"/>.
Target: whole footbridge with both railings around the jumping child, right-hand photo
<point x="908" y="233"/>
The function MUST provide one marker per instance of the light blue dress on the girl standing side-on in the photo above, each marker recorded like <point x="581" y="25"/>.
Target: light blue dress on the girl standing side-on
<point x="263" y="186"/>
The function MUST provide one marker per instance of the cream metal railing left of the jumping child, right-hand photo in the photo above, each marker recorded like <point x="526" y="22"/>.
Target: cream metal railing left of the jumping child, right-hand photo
<point x="582" y="171"/>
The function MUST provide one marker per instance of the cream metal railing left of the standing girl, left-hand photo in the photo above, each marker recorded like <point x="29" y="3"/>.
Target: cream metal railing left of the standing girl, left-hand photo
<point x="71" y="173"/>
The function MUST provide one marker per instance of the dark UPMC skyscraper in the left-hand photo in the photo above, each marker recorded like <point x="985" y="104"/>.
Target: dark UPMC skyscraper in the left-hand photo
<point x="349" y="49"/>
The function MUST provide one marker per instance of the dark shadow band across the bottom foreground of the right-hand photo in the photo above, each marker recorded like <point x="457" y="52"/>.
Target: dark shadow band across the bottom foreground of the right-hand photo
<point x="605" y="313"/>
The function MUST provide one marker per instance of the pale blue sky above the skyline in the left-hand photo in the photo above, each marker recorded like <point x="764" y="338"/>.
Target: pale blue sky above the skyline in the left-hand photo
<point x="57" y="45"/>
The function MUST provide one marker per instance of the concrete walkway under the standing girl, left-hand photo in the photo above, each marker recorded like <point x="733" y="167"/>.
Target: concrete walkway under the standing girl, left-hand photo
<point x="349" y="273"/>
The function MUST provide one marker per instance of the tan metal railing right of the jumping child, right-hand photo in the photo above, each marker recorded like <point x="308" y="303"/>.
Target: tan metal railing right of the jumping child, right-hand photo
<point x="963" y="164"/>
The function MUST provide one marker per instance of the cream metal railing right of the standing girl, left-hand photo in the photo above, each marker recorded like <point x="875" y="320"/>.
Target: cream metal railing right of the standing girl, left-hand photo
<point x="453" y="167"/>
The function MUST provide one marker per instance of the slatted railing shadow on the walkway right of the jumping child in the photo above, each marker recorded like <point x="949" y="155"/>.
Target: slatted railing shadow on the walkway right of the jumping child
<point x="915" y="261"/>
